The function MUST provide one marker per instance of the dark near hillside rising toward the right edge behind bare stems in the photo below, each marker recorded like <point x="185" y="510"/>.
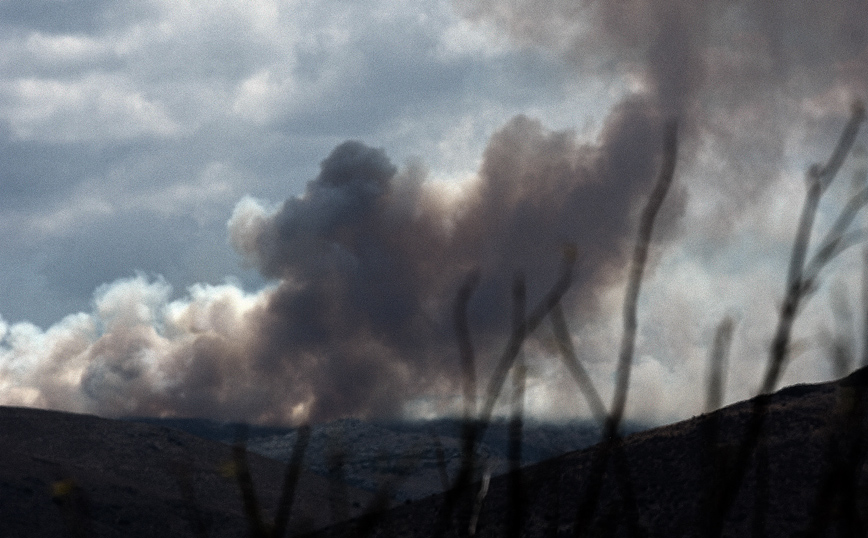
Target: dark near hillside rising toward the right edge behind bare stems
<point x="812" y="432"/>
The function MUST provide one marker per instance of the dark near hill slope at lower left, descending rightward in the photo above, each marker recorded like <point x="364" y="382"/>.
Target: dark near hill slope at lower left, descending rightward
<point x="123" y="479"/>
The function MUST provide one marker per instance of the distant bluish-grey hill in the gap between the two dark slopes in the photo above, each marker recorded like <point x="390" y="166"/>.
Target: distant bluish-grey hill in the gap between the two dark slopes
<point x="402" y="455"/>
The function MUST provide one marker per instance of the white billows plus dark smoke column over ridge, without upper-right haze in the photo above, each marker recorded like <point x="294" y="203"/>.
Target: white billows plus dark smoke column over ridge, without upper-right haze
<point x="365" y="265"/>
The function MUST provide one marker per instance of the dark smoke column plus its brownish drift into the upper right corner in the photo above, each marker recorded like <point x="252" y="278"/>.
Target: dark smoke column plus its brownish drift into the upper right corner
<point x="368" y="262"/>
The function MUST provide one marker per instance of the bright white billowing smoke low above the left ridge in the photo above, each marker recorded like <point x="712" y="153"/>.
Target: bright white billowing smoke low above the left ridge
<point x="128" y="355"/>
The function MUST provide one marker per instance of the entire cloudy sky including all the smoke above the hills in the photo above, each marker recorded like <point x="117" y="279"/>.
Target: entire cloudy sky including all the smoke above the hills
<point x="263" y="210"/>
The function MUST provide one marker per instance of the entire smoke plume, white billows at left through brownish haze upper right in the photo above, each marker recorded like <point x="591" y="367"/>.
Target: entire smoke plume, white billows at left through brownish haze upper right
<point x="365" y="264"/>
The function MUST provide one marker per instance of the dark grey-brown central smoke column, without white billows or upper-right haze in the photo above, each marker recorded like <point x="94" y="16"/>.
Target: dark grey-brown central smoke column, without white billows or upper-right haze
<point x="369" y="264"/>
